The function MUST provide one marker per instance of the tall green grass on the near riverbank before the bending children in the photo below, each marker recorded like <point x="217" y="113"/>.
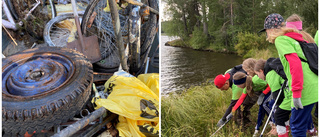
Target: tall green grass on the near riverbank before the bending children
<point x="196" y="112"/>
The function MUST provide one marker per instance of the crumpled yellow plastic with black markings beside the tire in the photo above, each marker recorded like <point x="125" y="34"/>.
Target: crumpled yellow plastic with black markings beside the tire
<point x="136" y="101"/>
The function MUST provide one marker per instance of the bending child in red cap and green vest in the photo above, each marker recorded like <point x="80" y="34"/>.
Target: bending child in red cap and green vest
<point x="224" y="82"/>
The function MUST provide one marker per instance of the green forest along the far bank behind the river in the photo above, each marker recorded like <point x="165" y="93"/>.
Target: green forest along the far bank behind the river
<point x="231" y="25"/>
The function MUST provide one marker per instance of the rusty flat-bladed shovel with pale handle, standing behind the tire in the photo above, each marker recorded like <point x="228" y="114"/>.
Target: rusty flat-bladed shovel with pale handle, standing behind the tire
<point x="89" y="46"/>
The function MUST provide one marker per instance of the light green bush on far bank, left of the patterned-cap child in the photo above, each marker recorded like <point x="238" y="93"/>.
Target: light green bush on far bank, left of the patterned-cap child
<point x="249" y="43"/>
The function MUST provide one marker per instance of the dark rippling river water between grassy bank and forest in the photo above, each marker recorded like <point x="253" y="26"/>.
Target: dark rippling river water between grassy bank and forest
<point x="182" y="68"/>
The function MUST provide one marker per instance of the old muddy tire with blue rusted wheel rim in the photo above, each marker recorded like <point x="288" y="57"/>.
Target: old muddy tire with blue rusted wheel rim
<point x="43" y="87"/>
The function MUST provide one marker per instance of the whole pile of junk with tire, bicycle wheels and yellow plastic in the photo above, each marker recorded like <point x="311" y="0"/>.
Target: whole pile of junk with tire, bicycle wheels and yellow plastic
<point x="80" y="68"/>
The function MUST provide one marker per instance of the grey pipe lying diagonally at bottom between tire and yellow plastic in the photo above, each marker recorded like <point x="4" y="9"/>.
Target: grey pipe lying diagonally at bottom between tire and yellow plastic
<point x="70" y="130"/>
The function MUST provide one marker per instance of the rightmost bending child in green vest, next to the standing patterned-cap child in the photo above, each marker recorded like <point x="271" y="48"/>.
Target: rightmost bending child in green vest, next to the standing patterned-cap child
<point x="283" y="105"/>
